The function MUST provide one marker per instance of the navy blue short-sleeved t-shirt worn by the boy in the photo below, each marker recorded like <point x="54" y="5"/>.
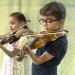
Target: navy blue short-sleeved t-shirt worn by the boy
<point x="58" y="49"/>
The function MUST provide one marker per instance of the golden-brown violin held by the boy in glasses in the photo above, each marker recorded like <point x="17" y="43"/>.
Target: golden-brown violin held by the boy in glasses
<point x="42" y="40"/>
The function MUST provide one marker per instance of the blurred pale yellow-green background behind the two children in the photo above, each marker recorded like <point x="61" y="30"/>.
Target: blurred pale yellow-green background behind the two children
<point x="30" y="8"/>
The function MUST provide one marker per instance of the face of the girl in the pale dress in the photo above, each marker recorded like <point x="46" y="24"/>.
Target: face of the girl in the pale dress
<point x="13" y="23"/>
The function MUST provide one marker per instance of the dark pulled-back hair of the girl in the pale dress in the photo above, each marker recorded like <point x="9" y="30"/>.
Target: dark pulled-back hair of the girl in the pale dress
<point x="19" y="16"/>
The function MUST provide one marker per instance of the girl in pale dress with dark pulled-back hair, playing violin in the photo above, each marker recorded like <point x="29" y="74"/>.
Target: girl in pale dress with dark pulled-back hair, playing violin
<point x="10" y="65"/>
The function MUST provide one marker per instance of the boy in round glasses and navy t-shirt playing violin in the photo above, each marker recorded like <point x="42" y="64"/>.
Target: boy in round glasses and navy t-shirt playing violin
<point x="48" y="57"/>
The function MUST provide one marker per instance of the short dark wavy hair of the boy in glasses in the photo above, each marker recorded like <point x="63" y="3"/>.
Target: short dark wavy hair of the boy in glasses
<point x="54" y="8"/>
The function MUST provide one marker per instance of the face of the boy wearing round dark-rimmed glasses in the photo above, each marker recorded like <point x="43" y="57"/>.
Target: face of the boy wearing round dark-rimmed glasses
<point x="50" y="23"/>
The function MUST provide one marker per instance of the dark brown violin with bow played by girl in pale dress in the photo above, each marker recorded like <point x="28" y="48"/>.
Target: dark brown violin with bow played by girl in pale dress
<point x="14" y="35"/>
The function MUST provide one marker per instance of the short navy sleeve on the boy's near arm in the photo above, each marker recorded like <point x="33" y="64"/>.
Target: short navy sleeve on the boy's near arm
<point x="55" y="48"/>
